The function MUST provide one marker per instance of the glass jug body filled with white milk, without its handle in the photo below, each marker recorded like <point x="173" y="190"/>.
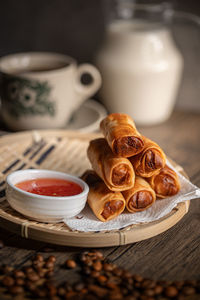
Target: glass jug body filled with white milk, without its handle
<point x="140" y="64"/>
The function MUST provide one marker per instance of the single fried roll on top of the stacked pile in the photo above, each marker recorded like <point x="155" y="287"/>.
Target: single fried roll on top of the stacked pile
<point x="121" y="135"/>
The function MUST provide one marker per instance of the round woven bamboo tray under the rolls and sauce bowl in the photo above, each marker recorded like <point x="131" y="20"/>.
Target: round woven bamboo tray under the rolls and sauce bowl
<point x="64" y="151"/>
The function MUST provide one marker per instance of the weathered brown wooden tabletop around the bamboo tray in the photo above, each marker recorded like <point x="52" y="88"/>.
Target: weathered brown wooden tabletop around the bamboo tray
<point x="172" y="255"/>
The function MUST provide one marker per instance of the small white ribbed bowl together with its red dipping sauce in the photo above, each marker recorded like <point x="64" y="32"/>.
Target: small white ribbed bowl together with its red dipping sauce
<point x="45" y="195"/>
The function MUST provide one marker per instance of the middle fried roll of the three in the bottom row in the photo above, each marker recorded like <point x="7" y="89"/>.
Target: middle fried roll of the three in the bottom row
<point x="140" y="197"/>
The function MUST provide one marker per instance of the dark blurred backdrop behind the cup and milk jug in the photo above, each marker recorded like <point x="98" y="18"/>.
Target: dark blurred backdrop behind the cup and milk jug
<point x="77" y="28"/>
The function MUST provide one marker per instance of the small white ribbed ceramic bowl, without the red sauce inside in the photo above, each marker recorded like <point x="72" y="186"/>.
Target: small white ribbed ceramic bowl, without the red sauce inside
<point x="44" y="208"/>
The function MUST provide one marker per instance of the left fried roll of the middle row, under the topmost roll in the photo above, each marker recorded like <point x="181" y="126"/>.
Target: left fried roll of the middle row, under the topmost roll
<point x="117" y="172"/>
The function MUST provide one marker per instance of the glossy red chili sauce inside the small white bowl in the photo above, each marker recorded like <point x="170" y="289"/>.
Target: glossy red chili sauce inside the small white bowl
<point x="50" y="187"/>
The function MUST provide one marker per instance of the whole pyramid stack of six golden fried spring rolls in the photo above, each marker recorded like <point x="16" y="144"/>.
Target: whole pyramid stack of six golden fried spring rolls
<point x="129" y="170"/>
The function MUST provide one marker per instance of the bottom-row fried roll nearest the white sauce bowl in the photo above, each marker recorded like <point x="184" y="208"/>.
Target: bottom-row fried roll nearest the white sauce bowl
<point x="105" y="204"/>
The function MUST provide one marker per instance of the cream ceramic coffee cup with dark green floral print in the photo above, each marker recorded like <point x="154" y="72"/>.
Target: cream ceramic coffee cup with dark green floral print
<point x="41" y="90"/>
